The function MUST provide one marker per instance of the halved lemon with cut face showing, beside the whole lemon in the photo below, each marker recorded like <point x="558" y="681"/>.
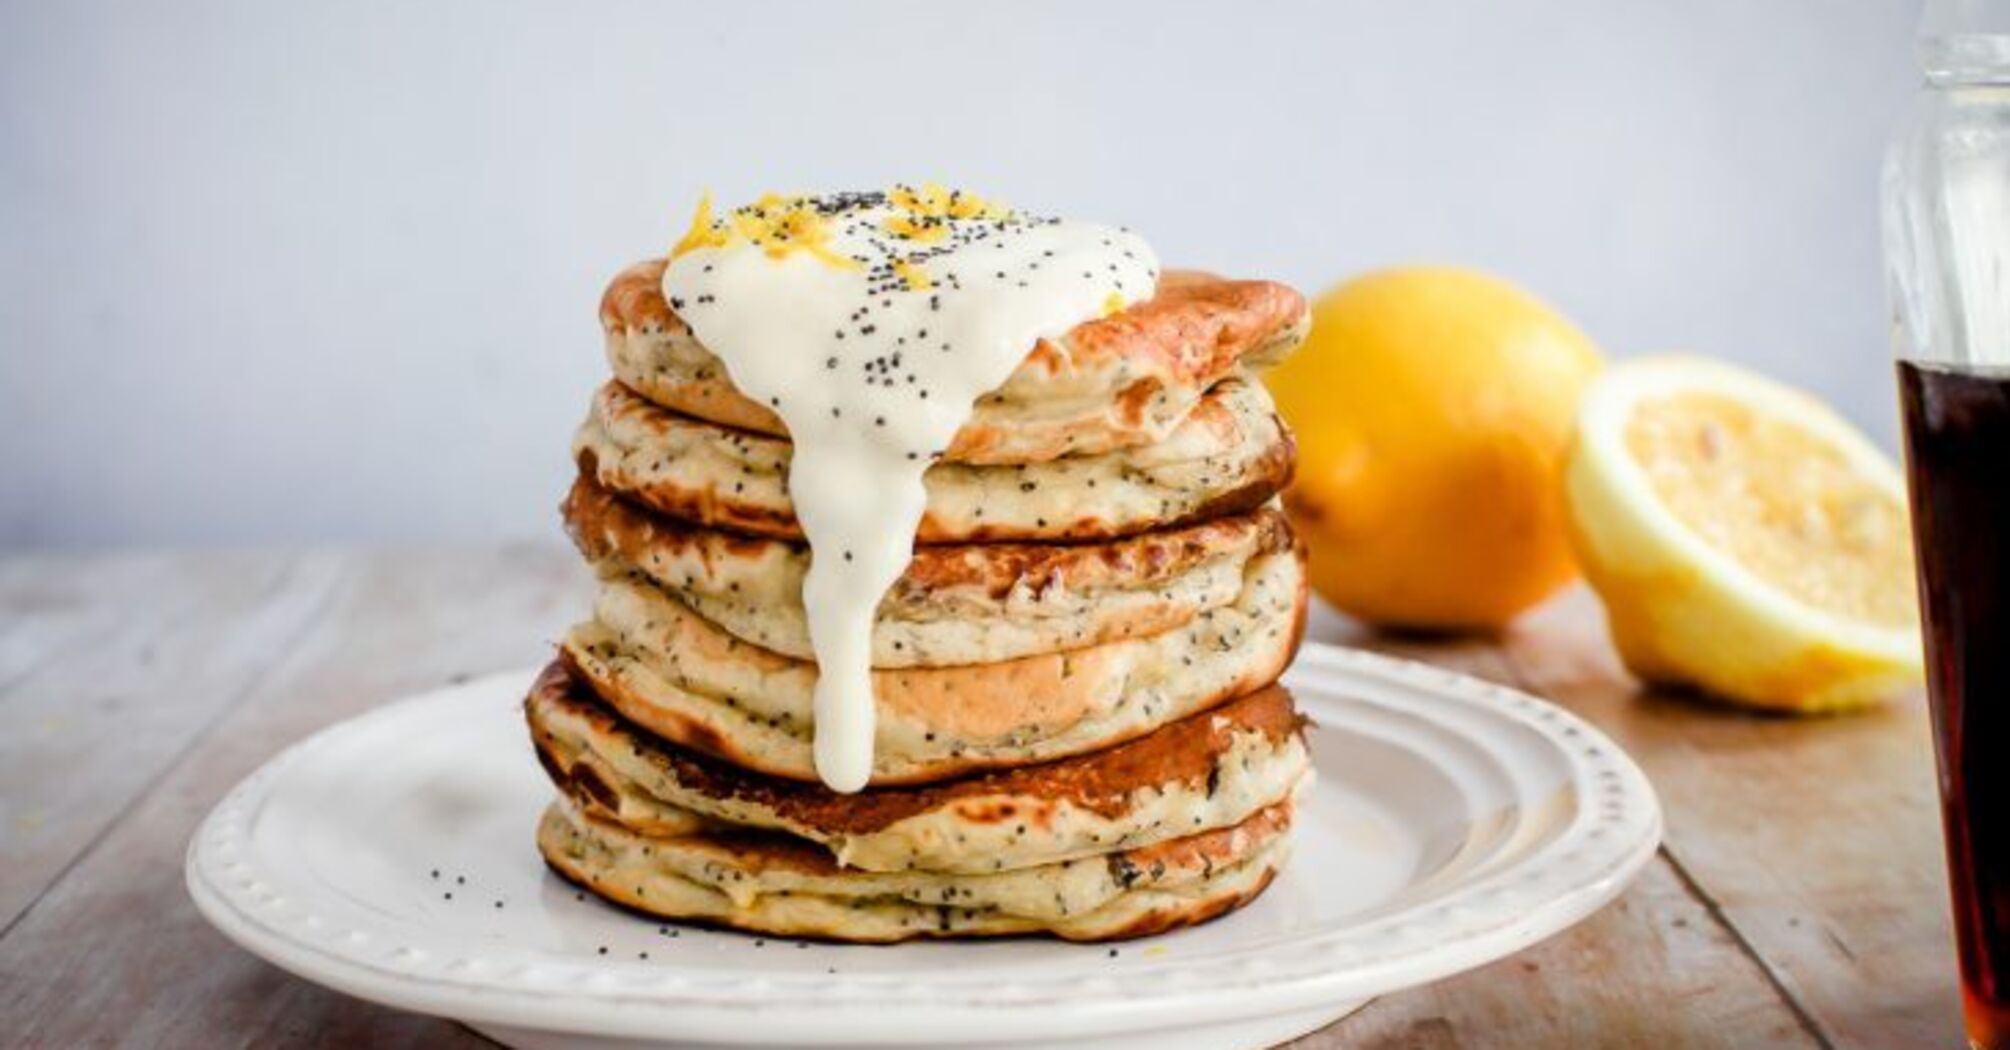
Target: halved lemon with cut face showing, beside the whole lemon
<point x="1744" y="538"/>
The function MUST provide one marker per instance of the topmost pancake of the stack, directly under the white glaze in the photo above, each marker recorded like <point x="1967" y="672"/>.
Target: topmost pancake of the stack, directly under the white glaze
<point x="1113" y="383"/>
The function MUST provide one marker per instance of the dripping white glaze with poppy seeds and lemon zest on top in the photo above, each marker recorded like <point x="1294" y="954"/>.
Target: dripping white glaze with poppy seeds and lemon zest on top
<point x="871" y="325"/>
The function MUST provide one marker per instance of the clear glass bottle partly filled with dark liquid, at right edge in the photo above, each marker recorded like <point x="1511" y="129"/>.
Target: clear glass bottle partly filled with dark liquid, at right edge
<point x="1947" y="214"/>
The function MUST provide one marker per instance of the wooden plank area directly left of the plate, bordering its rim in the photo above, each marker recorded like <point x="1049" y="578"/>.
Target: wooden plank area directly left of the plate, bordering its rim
<point x="116" y="952"/>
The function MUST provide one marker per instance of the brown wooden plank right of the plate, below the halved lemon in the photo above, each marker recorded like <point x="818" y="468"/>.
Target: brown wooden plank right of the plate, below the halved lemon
<point x="1816" y="840"/>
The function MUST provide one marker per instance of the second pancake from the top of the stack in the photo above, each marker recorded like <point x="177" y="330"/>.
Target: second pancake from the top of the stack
<point x="1229" y="456"/>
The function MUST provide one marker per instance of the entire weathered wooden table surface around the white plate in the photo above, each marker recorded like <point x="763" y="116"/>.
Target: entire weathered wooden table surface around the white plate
<point x="1798" y="900"/>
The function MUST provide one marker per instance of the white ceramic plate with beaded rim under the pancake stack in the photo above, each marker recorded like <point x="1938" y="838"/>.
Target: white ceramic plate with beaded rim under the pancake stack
<point x="393" y="858"/>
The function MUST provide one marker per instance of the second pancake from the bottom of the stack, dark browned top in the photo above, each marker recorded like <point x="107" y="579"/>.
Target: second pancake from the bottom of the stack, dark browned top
<point x="1211" y="771"/>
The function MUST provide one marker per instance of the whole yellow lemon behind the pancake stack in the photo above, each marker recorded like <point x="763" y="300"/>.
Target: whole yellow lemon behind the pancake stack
<point x="1434" y="409"/>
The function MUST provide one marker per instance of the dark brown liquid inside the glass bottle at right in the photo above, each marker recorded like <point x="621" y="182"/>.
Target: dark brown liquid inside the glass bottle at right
<point x="1959" y="450"/>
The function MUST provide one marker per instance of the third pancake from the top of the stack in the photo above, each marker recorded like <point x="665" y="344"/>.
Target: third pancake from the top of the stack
<point x="956" y="604"/>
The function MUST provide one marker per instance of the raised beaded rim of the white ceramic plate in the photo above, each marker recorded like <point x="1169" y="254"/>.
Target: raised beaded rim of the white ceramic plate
<point x="606" y="999"/>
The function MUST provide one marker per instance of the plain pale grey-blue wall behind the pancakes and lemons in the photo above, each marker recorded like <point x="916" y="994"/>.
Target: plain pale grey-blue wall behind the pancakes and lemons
<point x="313" y="273"/>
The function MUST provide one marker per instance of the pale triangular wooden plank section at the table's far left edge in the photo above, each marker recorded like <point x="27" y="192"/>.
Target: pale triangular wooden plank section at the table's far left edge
<point x="110" y="669"/>
